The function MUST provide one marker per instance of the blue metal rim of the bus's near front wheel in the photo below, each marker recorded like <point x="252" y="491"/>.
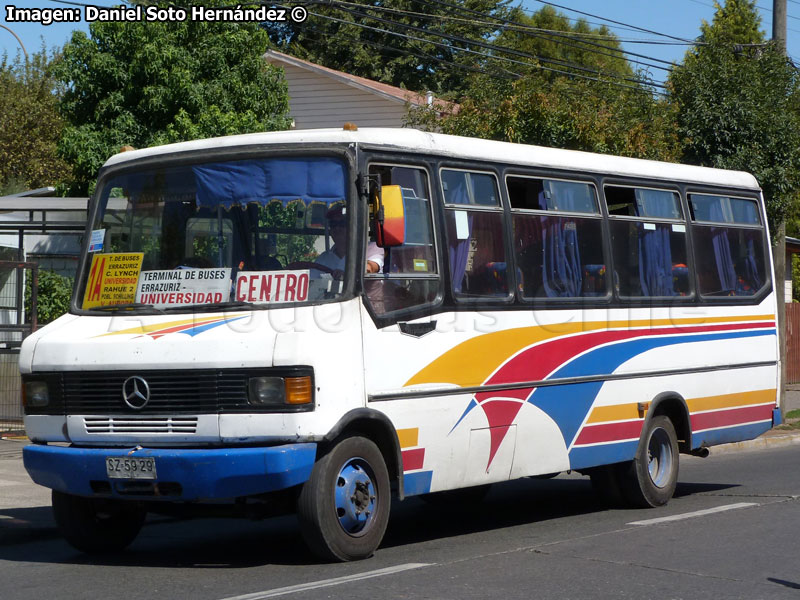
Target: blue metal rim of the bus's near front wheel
<point x="355" y="497"/>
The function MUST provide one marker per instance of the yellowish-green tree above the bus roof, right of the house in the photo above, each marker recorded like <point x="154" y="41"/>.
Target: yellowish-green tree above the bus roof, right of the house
<point x="566" y="94"/>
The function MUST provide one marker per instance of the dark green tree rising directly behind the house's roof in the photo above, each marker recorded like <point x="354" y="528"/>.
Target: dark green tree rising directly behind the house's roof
<point x="407" y="43"/>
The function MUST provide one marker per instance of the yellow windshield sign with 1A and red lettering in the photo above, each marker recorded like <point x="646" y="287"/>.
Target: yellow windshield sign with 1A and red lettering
<point x="112" y="279"/>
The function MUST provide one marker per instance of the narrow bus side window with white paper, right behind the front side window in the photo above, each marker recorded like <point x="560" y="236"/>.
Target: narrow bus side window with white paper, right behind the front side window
<point x="475" y="240"/>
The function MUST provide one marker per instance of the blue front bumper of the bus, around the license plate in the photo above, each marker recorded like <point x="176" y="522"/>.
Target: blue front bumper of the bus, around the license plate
<point x="183" y="474"/>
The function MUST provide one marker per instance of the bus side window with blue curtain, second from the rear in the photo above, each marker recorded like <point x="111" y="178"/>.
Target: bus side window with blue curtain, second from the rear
<point x="650" y="258"/>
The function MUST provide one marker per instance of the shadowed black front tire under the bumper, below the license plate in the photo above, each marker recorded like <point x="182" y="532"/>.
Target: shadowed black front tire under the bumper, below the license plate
<point x="97" y="525"/>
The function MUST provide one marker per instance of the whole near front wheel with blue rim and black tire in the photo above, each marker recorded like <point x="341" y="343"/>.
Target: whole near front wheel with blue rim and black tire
<point x="343" y="508"/>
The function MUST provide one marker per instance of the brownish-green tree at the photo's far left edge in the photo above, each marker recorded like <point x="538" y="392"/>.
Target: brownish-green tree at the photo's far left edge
<point x="30" y="125"/>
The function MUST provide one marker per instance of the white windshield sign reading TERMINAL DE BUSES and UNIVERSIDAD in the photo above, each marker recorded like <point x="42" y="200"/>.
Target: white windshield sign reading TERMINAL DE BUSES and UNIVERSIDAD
<point x="180" y="287"/>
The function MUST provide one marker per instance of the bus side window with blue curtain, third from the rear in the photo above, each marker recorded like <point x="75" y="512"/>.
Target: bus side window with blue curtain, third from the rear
<point x="557" y="256"/>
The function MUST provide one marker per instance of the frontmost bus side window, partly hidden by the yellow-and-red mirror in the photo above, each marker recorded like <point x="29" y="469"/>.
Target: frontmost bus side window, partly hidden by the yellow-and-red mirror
<point x="410" y="274"/>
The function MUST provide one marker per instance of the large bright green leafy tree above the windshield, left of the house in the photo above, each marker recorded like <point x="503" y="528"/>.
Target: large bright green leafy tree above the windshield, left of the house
<point x="148" y="83"/>
